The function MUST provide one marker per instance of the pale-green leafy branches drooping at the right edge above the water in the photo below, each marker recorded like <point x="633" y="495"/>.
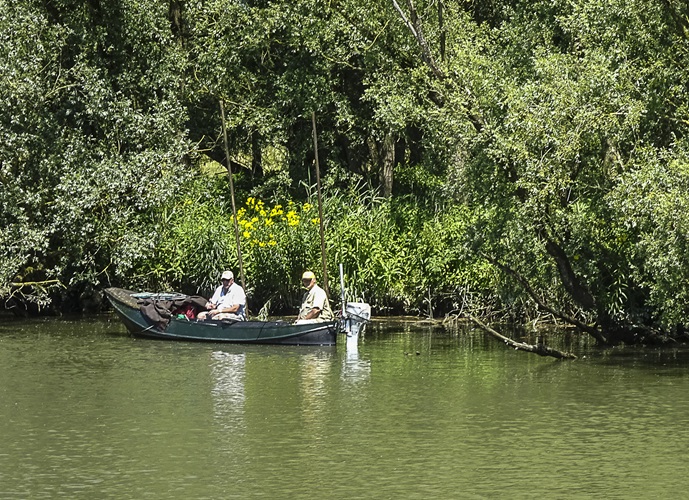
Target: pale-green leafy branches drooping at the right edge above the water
<point x="651" y="207"/>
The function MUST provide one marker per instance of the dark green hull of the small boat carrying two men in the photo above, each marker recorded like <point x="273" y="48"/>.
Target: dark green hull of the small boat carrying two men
<point x="128" y="306"/>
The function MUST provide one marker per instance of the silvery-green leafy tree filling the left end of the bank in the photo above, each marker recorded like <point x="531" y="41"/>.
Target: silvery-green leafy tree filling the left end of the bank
<point x="94" y="141"/>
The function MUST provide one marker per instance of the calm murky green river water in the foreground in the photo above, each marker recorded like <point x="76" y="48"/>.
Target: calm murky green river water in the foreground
<point x="417" y="412"/>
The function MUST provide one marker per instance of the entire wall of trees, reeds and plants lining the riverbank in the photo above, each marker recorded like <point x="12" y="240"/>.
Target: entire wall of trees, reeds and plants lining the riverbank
<point x="512" y="162"/>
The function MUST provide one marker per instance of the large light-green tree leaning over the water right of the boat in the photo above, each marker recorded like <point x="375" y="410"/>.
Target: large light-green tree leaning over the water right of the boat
<point x="561" y="105"/>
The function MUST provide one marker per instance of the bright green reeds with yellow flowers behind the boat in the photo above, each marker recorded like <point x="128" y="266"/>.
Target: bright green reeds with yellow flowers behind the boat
<point x="396" y="256"/>
